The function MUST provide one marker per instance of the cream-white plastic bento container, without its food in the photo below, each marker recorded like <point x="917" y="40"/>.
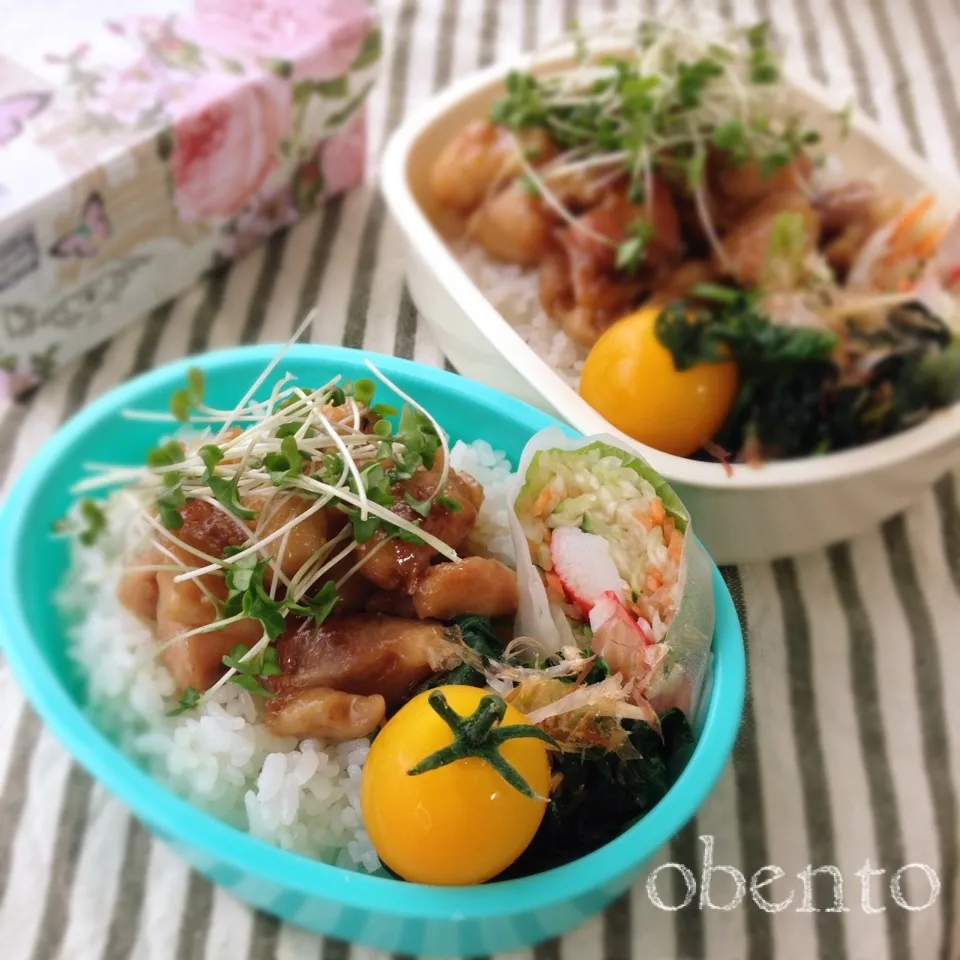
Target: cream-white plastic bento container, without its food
<point x="754" y="514"/>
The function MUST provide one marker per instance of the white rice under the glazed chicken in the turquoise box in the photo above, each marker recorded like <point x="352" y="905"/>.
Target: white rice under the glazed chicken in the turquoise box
<point x="304" y="796"/>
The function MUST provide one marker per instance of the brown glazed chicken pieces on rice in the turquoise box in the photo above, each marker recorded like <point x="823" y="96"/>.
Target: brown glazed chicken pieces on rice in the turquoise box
<point x="383" y="636"/>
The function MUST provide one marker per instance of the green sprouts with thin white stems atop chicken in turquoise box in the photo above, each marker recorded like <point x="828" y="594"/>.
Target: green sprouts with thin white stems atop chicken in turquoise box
<point x="285" y="446"/>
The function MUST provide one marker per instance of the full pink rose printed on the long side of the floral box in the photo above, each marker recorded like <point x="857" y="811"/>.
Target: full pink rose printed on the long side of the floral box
<point x="225" y="141"/>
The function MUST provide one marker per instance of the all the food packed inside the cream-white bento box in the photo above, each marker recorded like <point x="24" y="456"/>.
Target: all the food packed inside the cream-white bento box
<point x="677" y="236"/>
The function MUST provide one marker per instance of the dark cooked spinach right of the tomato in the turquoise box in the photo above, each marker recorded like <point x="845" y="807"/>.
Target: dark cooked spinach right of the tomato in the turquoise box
<point x="601" y="795"/>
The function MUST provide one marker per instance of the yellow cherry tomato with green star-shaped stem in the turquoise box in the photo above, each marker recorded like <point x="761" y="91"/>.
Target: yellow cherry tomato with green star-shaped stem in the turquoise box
<point x="460" y="823"/>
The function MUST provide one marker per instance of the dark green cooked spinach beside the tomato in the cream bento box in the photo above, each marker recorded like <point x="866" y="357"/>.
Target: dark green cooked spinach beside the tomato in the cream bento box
<point x="794" y="399"/>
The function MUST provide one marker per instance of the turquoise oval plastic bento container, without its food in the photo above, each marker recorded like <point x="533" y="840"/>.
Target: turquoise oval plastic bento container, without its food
<point x="377" y="911"/>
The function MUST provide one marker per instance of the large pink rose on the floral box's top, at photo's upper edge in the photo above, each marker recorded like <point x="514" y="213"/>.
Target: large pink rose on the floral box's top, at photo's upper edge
<point x="319" y="37"/>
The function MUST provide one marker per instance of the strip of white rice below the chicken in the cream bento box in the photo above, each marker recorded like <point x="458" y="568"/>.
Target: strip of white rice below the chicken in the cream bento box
<point x="515" y="293"/>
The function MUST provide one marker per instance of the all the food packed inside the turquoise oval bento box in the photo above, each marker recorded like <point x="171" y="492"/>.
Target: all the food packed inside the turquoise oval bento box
<point x="284" y="583"/>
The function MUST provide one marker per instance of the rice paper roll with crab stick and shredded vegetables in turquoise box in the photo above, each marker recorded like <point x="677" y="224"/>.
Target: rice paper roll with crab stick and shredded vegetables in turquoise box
<point x="622" y="573"/>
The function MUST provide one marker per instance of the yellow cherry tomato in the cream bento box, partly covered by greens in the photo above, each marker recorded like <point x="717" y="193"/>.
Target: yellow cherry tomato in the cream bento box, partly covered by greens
<point x="630" y="379"/>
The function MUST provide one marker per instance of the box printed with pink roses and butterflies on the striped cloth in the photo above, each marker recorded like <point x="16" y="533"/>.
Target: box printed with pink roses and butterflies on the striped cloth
<point x="143" y="143"/>
